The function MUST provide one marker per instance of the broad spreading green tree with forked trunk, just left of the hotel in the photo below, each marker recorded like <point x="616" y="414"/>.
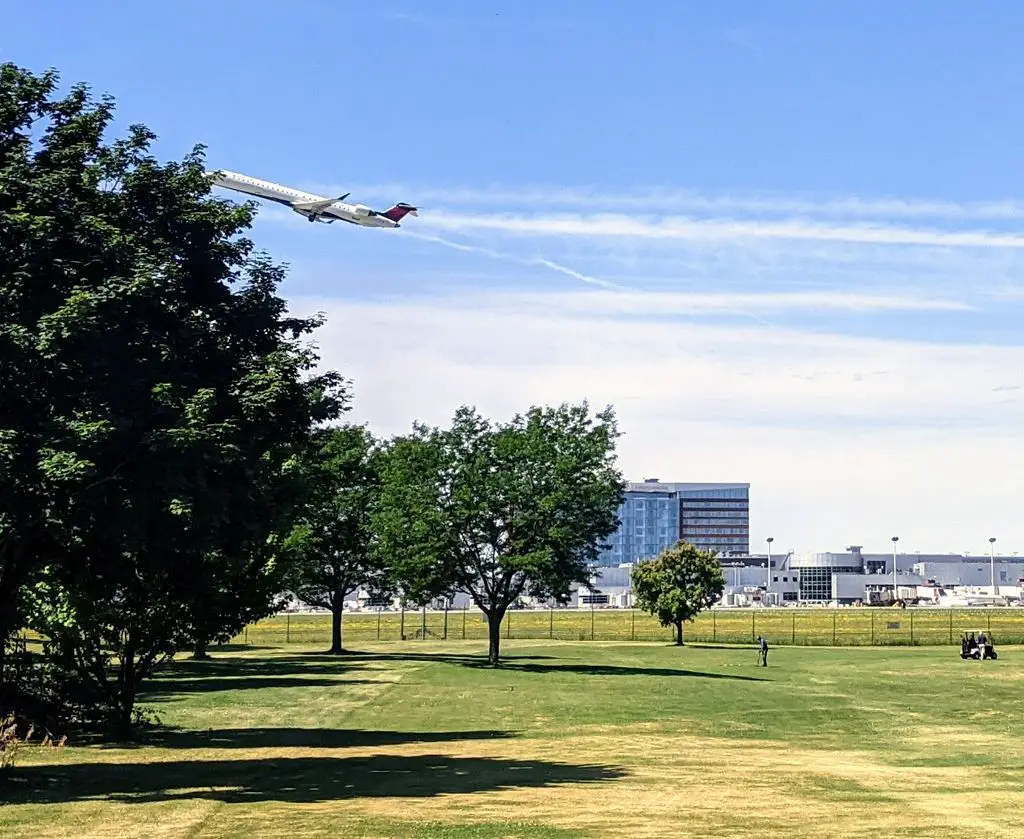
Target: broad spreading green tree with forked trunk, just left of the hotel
<point x="499" y="512"/>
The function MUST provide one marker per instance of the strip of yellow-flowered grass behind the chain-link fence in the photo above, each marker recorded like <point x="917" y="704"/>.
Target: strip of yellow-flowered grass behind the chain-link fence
<point x="830" y="627"/>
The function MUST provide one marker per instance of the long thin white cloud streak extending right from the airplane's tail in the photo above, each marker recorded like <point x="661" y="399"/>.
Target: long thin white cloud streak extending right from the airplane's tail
<point x="719" y="230"/>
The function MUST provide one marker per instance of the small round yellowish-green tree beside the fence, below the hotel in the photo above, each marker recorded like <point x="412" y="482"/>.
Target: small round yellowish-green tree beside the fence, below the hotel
<point x="678" y="585"/>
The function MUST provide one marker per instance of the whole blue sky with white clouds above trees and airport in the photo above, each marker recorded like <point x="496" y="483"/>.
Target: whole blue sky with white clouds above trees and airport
<point x="785" y="240"/>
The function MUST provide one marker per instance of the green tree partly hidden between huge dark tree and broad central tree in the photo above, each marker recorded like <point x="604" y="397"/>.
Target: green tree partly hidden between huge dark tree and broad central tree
<point x="330" y="547"/>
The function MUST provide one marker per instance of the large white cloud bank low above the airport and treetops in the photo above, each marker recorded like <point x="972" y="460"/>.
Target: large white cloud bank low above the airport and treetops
<point x="844" y="441"/>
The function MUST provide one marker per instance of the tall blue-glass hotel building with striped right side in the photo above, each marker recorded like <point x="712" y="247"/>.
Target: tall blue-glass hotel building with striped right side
<point x="657" y="516"/>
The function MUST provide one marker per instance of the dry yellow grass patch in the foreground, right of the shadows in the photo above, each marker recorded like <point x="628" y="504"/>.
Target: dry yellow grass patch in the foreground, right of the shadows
<point x="685" y="785"/>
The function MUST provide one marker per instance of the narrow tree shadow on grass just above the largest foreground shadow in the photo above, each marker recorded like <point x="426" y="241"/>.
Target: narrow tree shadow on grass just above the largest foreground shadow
<point x="303" y="738"/>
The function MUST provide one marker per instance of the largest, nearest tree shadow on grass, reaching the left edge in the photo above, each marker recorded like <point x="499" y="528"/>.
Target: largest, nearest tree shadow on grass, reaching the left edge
<point x="305" y="780"/>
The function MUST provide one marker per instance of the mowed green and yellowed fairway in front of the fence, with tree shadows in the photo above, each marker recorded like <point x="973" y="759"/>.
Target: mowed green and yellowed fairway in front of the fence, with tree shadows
<point x="569" y="739"/>
